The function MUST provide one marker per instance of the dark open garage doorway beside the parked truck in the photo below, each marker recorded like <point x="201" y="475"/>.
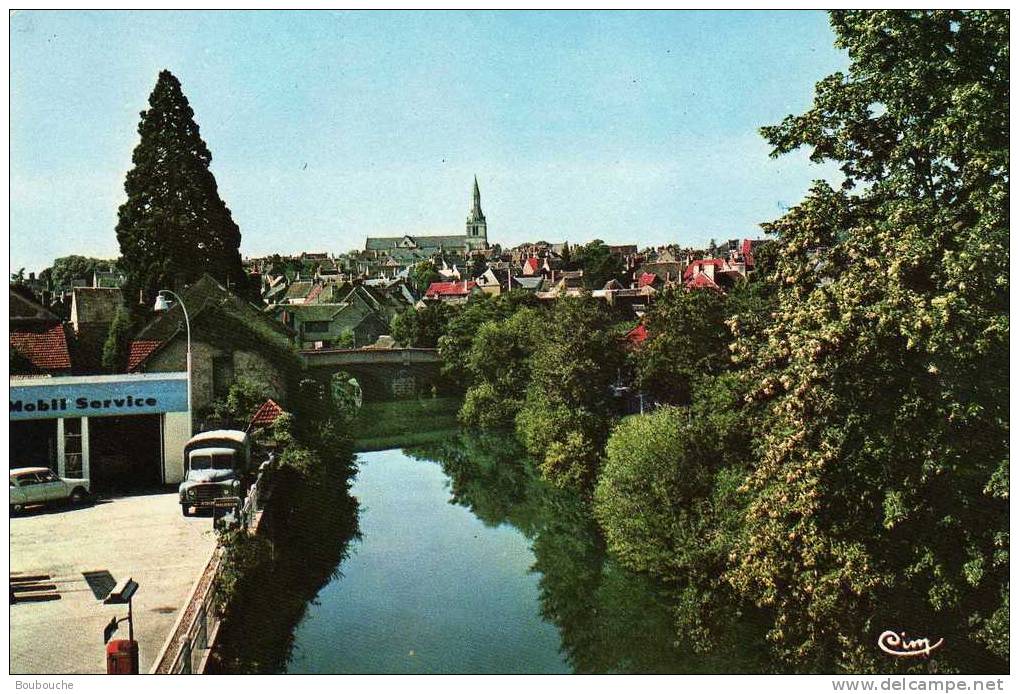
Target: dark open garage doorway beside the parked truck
<point x="126" y="454"/>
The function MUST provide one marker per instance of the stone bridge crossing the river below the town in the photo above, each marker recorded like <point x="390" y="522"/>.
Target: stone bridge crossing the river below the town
<point x="384" y="375"/>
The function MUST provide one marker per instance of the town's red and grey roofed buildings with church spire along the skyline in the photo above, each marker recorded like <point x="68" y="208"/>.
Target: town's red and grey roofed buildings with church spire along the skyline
<point x="349" y="300"/>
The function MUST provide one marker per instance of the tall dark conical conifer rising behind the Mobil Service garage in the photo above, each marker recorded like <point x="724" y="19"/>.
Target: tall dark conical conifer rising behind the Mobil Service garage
<point x="175" y="227"/>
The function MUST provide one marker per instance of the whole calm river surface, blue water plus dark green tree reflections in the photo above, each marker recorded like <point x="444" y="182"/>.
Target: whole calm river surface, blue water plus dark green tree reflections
<point x="468" y="563"/>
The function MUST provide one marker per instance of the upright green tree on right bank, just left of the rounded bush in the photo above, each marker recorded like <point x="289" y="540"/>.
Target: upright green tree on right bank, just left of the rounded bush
<point x="569" y="408"/>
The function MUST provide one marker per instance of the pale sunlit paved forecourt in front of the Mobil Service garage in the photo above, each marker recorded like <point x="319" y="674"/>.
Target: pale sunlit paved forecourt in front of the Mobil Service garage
<point x="143" y="538"/>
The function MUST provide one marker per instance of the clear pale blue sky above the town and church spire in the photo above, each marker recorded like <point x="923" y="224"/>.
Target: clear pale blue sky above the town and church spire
<point x="329" y="127"/>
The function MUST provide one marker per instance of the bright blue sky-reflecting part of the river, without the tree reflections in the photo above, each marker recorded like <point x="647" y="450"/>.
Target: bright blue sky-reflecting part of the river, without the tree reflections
<point x="430" y="590"/>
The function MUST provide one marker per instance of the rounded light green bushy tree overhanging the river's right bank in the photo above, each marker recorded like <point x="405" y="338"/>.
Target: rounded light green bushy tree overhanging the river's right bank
<point x="668" y="501"/>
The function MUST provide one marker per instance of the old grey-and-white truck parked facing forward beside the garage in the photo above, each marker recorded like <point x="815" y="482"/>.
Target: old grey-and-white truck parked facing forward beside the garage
<point x="217" y="466"/>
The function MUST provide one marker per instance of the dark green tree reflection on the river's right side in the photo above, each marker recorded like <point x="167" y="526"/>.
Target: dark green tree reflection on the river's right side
<point x="610" y="620"/>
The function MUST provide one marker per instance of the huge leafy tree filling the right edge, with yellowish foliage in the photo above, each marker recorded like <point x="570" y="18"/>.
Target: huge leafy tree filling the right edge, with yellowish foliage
<point x="881" y="493"/>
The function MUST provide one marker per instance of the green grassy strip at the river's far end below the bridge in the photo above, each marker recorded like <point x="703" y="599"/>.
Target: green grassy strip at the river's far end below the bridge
<point x="403" y="423"/>
